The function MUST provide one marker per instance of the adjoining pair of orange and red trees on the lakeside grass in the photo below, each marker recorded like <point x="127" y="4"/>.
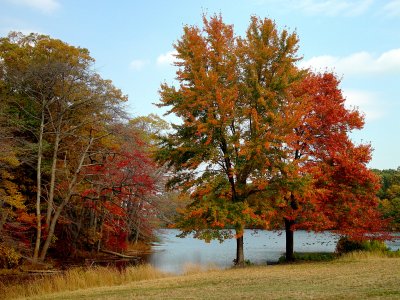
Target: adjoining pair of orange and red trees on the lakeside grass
<point x="261" y="141"/>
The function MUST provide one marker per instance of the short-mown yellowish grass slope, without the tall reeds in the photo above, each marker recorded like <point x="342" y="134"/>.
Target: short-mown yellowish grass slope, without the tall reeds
<point x="348" y="278"/>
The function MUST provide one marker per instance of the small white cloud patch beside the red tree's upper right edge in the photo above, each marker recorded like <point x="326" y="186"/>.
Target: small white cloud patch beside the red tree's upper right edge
<point x="366" y="102"/>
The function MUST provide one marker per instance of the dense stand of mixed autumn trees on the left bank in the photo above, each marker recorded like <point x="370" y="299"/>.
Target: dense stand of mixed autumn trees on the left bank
<point x="76" y="173"/>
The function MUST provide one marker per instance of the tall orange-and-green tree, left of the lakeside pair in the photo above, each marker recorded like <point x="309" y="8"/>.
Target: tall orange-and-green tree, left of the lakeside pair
<point x="229" y="94"/>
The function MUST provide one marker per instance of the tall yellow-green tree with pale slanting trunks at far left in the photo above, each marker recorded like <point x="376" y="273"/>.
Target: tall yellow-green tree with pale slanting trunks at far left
<point x="58" y="103"/>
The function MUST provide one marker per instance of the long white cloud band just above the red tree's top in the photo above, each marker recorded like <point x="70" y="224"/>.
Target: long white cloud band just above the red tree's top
<point x="360" y="63"/>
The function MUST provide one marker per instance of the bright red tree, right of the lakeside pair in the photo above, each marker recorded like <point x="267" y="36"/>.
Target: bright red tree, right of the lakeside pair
<point x="323" y="182"/>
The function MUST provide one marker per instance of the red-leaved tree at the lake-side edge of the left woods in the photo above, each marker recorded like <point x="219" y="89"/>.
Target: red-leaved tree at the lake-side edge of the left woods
<point x="117" y="193"/>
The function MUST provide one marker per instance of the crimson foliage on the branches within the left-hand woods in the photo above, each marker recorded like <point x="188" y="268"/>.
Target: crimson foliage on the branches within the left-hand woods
<point x="118" y="191"/>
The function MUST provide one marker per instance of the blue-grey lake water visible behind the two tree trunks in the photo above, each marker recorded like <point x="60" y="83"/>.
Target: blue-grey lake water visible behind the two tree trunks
<point x="172" y="254"/>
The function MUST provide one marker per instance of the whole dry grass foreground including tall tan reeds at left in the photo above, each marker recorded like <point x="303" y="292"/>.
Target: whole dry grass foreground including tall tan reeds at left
<point x="356" y="276"/>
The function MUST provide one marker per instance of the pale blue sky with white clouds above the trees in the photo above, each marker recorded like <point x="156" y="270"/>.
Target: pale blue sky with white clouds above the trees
<point x="132" y="44"/>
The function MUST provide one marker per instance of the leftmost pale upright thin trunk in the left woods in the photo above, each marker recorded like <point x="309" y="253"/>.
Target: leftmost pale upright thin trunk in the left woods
<point x="39" y="189"/>
